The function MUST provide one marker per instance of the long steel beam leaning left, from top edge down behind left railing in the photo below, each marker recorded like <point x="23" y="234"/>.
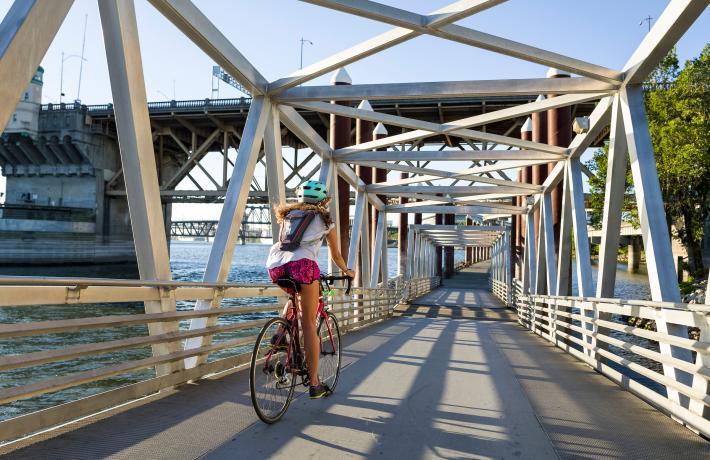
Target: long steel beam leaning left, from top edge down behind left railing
<point x="120" y="30"/>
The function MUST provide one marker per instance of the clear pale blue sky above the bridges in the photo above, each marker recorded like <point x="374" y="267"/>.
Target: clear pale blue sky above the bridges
<point x="267" y="32"/>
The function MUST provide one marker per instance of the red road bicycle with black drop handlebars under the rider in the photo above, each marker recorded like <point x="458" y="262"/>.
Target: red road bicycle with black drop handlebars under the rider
<point x="278" y="359"/>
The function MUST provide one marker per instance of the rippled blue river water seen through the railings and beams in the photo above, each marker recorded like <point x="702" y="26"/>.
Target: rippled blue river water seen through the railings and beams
<point x="188" y="261"/>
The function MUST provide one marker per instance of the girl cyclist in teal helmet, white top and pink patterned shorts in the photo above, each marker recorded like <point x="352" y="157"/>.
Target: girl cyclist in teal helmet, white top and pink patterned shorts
<point x="303" y="227"/>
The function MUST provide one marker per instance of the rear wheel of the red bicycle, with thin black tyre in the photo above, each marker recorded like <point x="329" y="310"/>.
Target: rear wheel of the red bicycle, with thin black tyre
<point x="271" y="380"/>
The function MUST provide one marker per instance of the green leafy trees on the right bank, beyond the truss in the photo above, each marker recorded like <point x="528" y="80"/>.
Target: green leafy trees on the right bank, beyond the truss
<point x="678" y="110"/>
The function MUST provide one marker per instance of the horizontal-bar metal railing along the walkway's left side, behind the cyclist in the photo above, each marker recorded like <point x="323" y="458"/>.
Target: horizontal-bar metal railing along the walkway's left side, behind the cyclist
<point x="362" y="307"/>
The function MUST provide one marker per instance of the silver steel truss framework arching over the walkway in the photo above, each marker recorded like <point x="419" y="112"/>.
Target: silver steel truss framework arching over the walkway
<point x="472" y="191"/>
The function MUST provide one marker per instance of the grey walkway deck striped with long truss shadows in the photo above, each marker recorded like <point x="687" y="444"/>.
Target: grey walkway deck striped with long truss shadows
<point x="452" y="376"/>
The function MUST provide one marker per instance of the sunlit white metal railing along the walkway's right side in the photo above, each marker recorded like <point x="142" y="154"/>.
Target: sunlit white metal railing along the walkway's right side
<point x="631" y="356"/>
